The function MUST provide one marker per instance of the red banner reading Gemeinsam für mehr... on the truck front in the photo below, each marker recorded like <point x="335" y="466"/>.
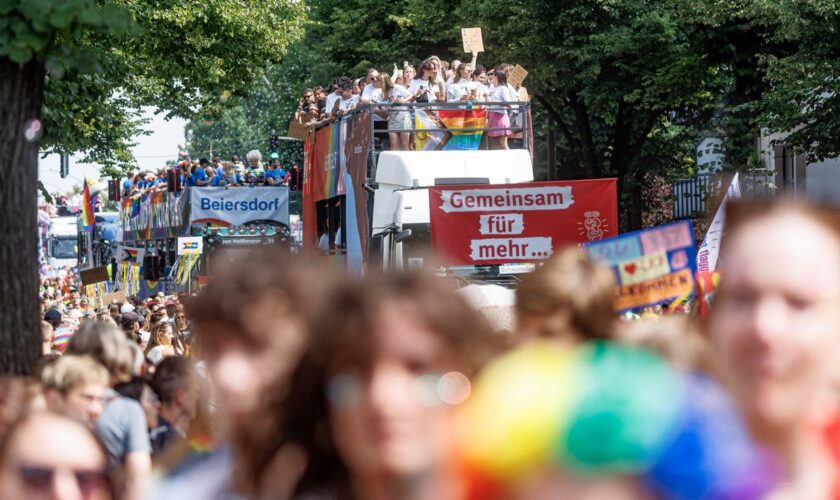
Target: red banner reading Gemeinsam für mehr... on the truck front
<point x="511" y="223"/>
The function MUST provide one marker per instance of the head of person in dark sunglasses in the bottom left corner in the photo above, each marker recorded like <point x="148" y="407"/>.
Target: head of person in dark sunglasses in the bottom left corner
<point x="51" y="456"/>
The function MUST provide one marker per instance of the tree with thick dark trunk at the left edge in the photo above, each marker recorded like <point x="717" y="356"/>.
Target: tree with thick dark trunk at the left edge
<point x="93" y="64"/>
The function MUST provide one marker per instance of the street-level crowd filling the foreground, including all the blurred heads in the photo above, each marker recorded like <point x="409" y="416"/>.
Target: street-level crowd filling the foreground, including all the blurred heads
<point x="284" y="379"/>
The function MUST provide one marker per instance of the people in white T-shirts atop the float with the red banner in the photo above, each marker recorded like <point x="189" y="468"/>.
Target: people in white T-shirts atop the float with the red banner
<point x="436" y="81"/>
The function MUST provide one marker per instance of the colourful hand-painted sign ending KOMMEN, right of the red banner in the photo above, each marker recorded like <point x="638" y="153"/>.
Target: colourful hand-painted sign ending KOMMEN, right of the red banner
<point x="653" y="266"/>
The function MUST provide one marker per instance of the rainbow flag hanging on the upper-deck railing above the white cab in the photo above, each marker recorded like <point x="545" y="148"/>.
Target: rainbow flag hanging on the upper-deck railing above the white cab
<point x="442" y="129"/>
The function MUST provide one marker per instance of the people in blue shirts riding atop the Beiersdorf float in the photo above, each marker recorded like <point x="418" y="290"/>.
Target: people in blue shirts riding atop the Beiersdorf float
<point x="189" y="173"/>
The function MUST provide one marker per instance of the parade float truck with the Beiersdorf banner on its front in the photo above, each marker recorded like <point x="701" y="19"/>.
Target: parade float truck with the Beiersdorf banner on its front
<point x="175" y="240"/>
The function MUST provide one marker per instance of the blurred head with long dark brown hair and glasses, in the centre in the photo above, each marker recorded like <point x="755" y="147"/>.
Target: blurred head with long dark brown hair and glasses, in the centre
<point x="370" y="403"/>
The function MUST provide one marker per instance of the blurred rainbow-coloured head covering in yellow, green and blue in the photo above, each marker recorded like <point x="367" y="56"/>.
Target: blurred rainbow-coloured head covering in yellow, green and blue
<point x="602" y="421"/>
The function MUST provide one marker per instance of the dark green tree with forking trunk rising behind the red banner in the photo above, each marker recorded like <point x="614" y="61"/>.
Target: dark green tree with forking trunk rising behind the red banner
<point x="609" y="74"/>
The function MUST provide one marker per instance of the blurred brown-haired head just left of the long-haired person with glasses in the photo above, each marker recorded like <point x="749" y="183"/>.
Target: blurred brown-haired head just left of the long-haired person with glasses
<point x="251" y="324"/>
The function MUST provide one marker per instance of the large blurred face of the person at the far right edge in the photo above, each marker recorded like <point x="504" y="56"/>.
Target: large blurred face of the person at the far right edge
<point x="775" y="321"/>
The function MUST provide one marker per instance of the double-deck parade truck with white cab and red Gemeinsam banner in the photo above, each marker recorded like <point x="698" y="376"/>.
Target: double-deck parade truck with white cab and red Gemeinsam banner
<point x="476" y="211"/>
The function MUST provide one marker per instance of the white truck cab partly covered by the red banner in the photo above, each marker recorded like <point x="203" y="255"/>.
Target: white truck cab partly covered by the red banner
<point x="401" y="195"/>
